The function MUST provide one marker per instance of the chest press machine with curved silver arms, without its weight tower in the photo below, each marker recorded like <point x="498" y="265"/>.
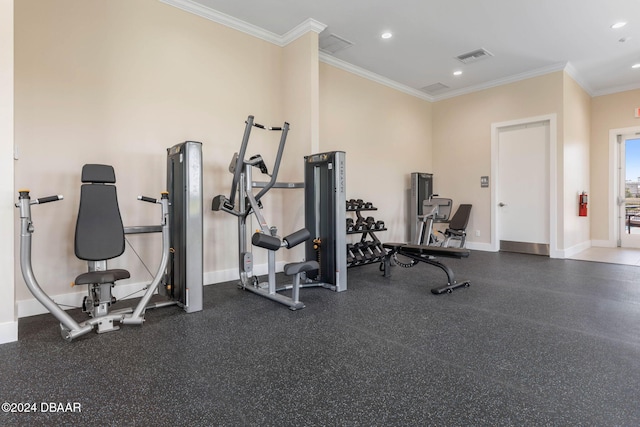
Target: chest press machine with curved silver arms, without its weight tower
<point x="99" y="237"/>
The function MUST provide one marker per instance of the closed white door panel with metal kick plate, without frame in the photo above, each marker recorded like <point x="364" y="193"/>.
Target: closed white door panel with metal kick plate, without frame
<point x="523" y="188"/>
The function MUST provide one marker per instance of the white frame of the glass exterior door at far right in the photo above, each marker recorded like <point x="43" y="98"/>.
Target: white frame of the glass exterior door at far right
<point x="614" y="184"/>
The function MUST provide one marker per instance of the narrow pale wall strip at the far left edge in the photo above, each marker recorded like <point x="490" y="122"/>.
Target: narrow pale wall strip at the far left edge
<point x="8" y="313"/>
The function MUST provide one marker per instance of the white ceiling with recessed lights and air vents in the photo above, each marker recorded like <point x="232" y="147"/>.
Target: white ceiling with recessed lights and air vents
<point x="526" y="38"/>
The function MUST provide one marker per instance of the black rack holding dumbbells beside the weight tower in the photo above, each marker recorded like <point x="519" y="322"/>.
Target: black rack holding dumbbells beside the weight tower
<point x="369" y="249"/>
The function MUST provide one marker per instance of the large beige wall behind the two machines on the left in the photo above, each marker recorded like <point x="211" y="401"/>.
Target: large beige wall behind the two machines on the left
<point x="118" y="82"/>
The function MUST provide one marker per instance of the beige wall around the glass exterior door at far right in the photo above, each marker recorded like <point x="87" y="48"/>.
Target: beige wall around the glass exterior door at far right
<point x="608" y="112"/>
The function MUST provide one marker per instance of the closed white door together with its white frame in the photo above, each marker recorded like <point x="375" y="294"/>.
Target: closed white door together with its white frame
<point x="523" y="196"/>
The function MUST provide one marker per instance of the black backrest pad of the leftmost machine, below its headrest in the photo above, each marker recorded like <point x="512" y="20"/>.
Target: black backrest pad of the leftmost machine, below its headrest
<point x="99" y="229"/>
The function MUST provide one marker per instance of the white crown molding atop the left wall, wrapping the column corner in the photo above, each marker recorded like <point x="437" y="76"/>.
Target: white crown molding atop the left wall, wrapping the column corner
<point x="245" y="27"/>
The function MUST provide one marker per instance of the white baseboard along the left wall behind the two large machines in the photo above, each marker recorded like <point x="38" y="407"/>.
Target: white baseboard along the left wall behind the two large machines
<point x="32" y="307"/>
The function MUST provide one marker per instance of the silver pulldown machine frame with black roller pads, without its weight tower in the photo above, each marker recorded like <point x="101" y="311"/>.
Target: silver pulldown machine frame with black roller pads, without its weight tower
<point x="267" y="236"/>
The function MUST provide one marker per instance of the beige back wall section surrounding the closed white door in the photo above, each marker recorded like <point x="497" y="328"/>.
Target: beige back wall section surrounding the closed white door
<point x="462" y="140"/>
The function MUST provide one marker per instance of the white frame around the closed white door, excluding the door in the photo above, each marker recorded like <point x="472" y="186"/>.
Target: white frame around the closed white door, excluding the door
<point x="553" y="180"/>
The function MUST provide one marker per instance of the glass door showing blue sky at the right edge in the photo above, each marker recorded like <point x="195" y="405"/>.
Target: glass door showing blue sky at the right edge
<point x="629" y="191"/>
